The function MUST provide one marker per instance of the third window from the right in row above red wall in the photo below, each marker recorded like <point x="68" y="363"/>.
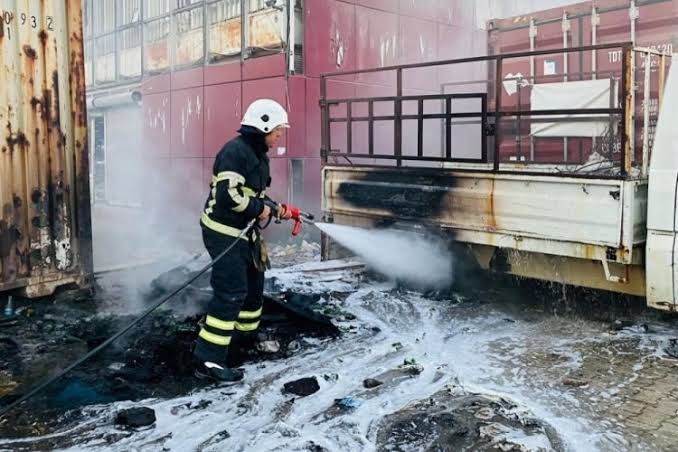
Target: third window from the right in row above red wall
<point x="189" y="28"/>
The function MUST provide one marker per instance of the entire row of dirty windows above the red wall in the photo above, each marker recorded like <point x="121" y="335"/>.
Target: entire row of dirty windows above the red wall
<point x="127" y="38"/>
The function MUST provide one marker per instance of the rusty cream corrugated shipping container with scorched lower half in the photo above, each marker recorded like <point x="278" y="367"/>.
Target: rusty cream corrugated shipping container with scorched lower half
<point x="45" y="227"/>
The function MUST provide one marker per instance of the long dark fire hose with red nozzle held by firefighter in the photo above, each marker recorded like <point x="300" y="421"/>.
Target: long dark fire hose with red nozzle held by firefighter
<point x="297" y="216"/>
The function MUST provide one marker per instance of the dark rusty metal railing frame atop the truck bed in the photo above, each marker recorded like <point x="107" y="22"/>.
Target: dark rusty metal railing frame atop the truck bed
<point x="492" y="117"/>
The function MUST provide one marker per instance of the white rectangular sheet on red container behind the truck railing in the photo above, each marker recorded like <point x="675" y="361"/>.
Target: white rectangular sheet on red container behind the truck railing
<point x="568" y="96"/>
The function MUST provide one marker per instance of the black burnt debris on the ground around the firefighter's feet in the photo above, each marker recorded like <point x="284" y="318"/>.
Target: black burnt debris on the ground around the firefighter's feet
<point x="152" y="360"/>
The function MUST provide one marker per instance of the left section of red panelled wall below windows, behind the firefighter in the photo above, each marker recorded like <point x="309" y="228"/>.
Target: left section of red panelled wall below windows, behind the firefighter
<point x="190" y="114"/>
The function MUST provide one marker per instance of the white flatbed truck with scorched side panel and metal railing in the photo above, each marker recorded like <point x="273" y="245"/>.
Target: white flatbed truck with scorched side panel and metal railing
<point x="546" y="175"/>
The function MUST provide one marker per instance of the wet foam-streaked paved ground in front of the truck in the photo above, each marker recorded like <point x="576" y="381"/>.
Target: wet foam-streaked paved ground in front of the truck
<point x="502" y="367"/>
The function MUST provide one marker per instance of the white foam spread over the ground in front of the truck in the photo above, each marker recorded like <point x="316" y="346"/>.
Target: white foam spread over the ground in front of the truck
<point x="443" y="336"/>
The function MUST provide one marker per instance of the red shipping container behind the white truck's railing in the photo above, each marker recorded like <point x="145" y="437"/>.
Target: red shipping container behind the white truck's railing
<point x="645" y="23"/>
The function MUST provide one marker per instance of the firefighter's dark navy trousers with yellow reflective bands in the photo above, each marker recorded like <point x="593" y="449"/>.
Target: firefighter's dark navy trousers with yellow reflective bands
<point x="237" y="298"/>
